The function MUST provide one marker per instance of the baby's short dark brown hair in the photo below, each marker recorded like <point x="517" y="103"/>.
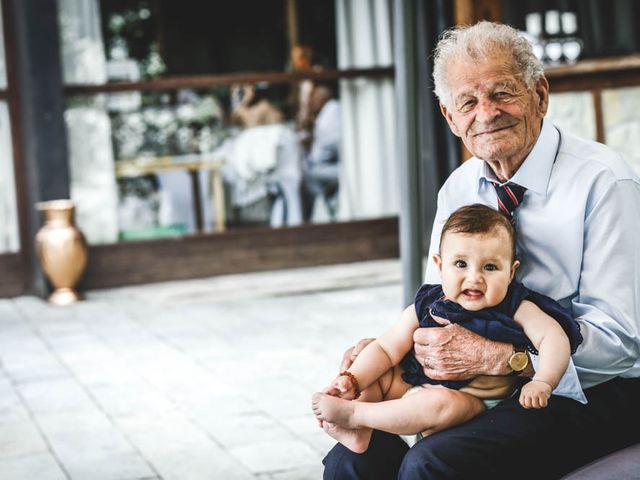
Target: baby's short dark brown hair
<point x="478" y="218"/>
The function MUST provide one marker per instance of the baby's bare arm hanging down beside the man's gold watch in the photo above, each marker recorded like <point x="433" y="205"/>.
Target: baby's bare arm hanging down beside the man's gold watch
<point x="553" y="353"/>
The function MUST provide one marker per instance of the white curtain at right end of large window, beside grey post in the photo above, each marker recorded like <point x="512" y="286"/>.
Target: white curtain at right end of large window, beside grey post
<point x="369" y="169"/>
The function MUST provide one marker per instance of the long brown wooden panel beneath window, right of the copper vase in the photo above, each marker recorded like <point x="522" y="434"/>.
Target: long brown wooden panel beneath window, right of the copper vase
<point x="240" y="251"/>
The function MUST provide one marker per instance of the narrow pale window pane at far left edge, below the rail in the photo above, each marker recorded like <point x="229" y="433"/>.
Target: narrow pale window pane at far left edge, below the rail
<point x="9" y="239"/>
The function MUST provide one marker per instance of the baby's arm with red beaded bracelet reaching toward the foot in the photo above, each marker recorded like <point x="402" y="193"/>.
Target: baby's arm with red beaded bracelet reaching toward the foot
<point x="377" y="357"/>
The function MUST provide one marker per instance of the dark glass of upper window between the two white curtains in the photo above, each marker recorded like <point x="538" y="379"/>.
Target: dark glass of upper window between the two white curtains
<point x="169" y="38"/>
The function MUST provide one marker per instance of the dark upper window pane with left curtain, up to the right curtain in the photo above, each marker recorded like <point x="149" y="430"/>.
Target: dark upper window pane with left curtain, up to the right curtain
<point x="143" y="39"/>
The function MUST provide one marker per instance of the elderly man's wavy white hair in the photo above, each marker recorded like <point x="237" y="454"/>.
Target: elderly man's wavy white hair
<point x="480" y="42"/>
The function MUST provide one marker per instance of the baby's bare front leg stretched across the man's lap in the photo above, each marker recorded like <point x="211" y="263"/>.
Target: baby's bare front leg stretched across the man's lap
<point x="430" y="410"/>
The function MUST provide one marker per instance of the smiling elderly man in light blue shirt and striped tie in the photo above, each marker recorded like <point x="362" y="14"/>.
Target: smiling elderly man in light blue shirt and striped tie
<point x="576" y="207"/>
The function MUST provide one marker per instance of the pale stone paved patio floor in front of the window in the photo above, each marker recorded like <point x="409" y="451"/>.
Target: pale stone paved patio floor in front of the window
<point x="201" y="379"/>
